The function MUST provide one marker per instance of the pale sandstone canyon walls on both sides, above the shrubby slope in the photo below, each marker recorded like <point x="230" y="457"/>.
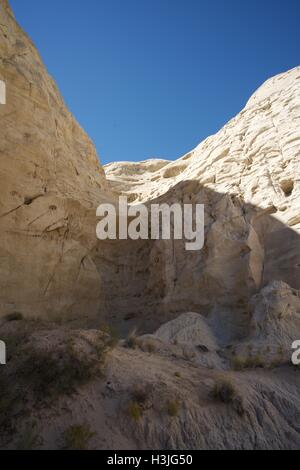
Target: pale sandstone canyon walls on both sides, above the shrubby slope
<point x="52" y="265"/>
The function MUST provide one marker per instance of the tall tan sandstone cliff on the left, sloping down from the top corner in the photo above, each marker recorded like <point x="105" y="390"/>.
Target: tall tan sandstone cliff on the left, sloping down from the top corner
<point x="51" y="182"/>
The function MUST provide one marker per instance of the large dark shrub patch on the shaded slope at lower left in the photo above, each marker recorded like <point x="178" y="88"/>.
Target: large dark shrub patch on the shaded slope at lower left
<point x="44" y="376"/>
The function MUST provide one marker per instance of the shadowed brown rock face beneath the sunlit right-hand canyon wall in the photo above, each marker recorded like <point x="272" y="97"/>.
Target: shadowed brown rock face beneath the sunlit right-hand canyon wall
<point x="245" y="249"/>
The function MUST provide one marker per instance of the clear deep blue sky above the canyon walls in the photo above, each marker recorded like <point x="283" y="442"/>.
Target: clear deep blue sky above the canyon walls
<point x="152" y="78"/>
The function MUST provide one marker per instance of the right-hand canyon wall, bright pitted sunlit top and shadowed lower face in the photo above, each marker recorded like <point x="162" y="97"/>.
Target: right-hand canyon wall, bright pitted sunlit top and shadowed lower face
<point x="247" y="175"/>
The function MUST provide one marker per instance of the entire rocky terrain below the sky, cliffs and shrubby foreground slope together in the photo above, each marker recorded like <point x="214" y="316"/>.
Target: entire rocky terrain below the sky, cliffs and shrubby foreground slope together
<point x="210" y="363"/>
